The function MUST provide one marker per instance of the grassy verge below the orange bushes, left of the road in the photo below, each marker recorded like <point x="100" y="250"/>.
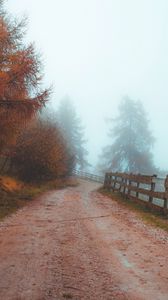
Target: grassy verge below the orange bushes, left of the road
<point x="13" y="199"/>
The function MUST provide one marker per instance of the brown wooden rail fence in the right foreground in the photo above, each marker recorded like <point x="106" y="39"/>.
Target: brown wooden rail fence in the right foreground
<point x="150" y="189"/>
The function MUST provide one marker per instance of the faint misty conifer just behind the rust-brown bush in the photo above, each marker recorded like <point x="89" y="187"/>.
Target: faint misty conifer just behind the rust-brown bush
<point x="72" y="131"/>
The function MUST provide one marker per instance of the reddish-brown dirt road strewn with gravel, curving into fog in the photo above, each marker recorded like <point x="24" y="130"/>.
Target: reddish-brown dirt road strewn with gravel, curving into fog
<point x="78" y="244"/>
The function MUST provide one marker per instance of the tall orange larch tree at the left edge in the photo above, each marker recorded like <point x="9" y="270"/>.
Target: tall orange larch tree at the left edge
<point x="20" y="79"/>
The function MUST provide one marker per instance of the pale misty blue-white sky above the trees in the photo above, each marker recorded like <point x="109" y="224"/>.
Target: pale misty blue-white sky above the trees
<point x="97" y="51"/>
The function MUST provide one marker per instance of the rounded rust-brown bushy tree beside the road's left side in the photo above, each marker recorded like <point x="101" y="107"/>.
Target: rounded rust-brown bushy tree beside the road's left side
<point x="41" y="153"/>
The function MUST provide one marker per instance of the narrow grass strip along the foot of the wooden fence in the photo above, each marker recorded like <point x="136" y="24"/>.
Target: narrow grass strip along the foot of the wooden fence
<point x="153" y="218"/>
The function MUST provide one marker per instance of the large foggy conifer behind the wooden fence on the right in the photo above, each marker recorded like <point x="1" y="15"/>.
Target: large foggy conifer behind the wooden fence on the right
<point x="132" y="140"/>
